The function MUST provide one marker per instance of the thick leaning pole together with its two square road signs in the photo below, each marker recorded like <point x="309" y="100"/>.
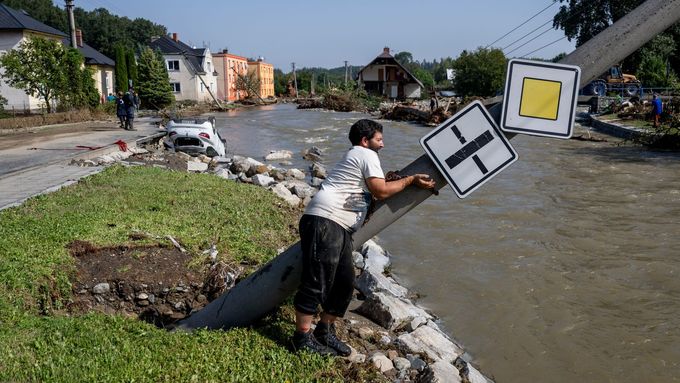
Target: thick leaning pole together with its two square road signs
<point x="272" y="284"/>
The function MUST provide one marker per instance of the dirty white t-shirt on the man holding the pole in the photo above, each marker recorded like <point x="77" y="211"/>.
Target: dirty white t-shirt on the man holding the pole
<point x="344" y="197"/>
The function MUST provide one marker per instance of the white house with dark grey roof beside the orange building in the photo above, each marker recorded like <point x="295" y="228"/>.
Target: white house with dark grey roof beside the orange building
<point x="191" y="70"/>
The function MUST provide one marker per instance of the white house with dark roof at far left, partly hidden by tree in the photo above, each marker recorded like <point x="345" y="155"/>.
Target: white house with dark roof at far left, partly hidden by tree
<point x="15" y="27"/>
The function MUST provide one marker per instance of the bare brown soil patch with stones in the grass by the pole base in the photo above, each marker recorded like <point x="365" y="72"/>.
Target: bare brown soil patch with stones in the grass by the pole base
<point x="157" y="283"/>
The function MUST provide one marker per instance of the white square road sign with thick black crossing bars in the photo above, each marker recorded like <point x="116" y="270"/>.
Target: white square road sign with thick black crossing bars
<point x="468" y="149"/>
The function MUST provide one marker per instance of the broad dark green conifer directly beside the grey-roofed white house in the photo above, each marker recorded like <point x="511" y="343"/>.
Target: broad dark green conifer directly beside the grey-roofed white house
<point x="154" y="83"/>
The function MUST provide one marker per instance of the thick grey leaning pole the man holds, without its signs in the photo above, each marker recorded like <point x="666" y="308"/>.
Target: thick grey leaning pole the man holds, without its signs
<point x="267" y="288"/>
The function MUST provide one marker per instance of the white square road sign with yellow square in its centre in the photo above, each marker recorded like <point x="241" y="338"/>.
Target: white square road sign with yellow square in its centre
<point x="540" y="98"/>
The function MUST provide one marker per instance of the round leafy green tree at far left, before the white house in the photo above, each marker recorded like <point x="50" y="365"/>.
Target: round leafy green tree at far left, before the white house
<point x="36" y="67"/>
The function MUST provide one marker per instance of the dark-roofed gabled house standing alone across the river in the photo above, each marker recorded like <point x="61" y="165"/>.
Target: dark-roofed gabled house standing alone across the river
<point x="384" y="76"/>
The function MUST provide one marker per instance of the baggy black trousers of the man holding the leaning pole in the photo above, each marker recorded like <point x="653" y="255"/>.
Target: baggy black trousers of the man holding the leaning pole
<point x="327" y="268"/>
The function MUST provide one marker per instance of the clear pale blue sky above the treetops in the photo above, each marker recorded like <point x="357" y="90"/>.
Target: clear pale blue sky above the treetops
<point x="325" y="34"/>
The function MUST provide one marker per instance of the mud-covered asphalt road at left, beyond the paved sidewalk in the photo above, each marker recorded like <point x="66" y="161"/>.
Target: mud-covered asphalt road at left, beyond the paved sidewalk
<point x="50" y="144"/>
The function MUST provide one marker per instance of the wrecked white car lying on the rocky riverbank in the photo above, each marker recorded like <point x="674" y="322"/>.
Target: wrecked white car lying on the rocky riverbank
<point x="195" y="136"/>
